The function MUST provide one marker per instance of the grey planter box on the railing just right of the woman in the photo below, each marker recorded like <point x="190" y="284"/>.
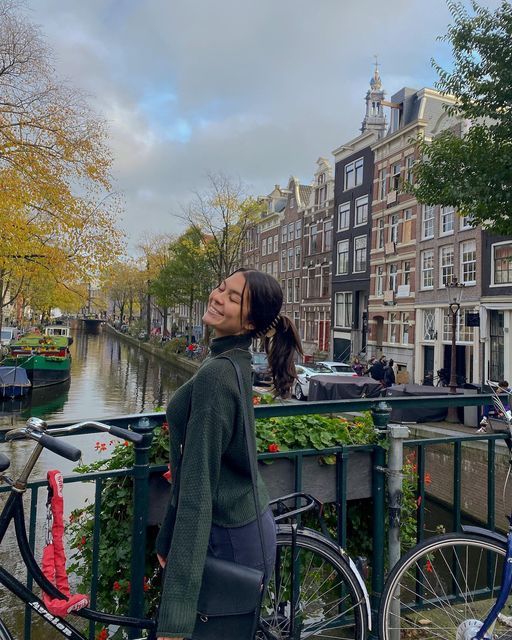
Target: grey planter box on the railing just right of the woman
<point x="319" y="479"/>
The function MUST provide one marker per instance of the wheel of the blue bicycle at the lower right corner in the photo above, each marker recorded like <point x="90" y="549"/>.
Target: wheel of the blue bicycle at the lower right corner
<point x="444" y="588"/>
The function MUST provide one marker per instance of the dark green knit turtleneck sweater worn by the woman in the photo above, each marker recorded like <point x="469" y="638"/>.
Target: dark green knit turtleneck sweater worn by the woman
<point x="215" y="480"/>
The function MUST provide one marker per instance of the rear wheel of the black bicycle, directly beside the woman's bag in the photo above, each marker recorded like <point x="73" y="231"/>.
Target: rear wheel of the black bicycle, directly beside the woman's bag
<point x="313" y="592"/>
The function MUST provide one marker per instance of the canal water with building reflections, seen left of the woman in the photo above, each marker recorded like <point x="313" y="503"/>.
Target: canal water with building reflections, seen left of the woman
<point x="109" y="377"/>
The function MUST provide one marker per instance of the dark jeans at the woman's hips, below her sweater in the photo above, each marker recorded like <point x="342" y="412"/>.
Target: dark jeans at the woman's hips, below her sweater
<point x="242" y="544"/>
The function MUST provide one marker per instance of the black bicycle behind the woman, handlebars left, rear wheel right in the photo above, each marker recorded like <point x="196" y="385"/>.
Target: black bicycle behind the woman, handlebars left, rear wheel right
<point x="315" y="591"/>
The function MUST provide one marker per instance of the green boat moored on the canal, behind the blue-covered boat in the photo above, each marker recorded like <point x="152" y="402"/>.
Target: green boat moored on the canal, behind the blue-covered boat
<point x="46" y="359"/>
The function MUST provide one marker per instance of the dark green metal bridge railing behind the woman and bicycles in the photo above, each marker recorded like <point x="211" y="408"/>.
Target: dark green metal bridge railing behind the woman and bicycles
<point x="380" y="408"/>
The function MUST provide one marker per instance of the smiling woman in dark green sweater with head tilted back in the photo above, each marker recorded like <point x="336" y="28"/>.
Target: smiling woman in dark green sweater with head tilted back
<point x="215" y="512"/>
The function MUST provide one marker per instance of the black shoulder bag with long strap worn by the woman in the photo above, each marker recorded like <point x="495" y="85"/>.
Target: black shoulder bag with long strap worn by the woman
<point x="230" y="596"/>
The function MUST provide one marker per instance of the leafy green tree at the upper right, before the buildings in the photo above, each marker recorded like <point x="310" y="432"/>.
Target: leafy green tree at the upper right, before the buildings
<point x="472" y="170"/>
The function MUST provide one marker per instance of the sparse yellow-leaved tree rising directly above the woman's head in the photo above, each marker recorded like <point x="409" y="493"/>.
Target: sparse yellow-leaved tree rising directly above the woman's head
<point x="220" y="218"/>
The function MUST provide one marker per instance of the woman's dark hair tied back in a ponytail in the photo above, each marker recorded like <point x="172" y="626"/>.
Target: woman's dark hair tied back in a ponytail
<point x="280" y="337"/>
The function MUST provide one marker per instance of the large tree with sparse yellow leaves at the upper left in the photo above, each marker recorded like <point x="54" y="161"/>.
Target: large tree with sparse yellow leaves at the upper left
<point x="57" y="211"/>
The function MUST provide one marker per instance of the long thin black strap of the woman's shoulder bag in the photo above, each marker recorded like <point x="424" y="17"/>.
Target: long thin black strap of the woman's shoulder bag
<point x="251" y="453"/>
